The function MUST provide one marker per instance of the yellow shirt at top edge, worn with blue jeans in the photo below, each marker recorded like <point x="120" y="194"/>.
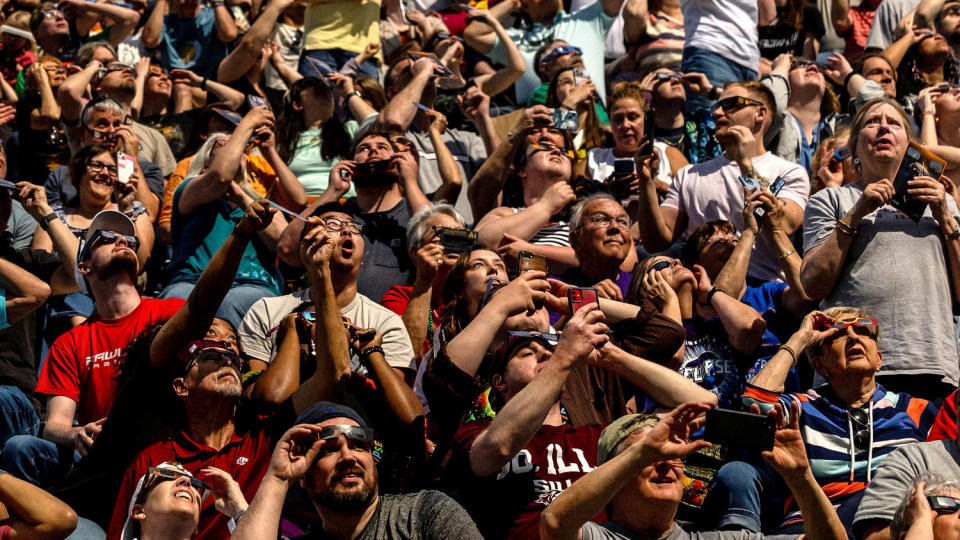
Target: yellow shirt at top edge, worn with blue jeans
<point x="342" y="24"/>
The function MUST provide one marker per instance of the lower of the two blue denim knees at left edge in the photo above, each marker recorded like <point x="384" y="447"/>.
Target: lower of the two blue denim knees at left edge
<point x="37" y="460"/>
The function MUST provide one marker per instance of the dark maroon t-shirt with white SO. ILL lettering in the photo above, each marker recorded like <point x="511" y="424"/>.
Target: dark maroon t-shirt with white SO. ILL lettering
<point x="508" y="504"/>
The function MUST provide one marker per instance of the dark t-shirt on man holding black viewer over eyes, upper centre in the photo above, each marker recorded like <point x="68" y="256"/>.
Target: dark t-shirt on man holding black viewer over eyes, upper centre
<point x="385" y="259"/>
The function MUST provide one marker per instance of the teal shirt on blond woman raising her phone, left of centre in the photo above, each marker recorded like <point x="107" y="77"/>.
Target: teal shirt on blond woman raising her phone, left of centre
<point x="198" y="235"/>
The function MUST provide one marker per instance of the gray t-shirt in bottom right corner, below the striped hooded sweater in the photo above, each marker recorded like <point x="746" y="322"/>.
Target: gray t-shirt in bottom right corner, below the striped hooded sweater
<point x="900" y="472"/>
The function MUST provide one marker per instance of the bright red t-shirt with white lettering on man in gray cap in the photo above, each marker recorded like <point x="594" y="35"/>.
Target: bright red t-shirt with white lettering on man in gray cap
<point x="84" y="363"/>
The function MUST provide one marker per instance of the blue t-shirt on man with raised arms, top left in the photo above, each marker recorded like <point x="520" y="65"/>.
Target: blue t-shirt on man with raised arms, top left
<point x="192" y="43"/>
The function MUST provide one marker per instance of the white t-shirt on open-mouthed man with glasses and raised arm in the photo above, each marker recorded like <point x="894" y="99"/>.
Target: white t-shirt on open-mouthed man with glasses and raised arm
<point x="258" y="333"/>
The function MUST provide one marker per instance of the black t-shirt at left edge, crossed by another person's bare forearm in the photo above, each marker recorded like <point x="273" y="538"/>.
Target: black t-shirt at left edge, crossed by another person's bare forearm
<point x="19" y="354"/>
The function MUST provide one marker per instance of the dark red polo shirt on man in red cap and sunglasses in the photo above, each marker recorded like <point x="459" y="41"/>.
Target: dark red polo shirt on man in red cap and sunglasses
<point x="246" y="457"/>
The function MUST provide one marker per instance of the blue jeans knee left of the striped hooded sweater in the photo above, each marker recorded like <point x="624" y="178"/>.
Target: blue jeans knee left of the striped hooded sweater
<point x="738" y="494"/>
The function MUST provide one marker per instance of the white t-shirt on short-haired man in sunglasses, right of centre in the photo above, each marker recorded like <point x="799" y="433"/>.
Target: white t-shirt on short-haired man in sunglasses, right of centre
<point x="712" y="190"/>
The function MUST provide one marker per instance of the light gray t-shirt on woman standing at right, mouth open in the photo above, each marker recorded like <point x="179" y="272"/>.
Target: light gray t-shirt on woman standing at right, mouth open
<point x="897" y="270"/>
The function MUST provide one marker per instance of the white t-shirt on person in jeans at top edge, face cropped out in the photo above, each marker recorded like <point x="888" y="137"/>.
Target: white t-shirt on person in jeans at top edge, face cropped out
<point x="725" y="27"/>
